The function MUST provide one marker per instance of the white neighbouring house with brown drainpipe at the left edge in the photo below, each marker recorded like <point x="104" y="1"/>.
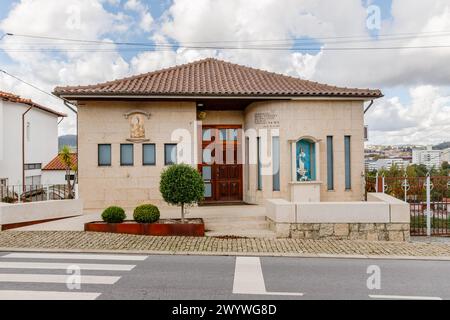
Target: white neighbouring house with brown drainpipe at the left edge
<point x="40" y="139"/>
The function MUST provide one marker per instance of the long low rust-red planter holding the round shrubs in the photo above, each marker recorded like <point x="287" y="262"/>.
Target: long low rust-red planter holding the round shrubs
<point x="160" y="228"/>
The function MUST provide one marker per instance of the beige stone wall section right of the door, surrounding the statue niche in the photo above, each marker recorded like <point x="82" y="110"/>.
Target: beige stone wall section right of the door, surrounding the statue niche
<point x="316" y="119"/>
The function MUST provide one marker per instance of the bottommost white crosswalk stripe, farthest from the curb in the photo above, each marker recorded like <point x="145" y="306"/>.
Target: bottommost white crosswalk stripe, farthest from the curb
<point x="46" y="295"/>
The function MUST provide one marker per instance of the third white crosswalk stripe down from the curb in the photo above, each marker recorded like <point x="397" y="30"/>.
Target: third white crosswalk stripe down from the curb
<point x="55" y="278"/>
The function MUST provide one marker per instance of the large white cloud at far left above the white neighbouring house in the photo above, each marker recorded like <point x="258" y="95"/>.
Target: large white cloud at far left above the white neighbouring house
<point x="77" y="19"/>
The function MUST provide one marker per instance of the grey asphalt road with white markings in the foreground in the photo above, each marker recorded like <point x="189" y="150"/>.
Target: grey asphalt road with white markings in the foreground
<point x="46" y="276"/>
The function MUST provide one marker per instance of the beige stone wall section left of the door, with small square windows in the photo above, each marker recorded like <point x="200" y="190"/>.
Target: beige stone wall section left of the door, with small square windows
<point x="103" y="122"/>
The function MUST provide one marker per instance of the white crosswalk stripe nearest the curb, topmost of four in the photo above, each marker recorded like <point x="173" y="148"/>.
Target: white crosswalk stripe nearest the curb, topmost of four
<point x="76" y="256"/>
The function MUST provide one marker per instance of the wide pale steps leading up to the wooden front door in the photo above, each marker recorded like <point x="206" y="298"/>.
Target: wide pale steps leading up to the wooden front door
<point x="246" y="227"/>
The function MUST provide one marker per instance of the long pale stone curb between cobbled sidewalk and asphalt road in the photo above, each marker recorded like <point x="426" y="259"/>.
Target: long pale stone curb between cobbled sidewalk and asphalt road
<point x="230" y="253"/>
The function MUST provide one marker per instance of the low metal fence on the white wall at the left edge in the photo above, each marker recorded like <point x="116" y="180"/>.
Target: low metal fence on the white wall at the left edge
<point x="33" y="193"/>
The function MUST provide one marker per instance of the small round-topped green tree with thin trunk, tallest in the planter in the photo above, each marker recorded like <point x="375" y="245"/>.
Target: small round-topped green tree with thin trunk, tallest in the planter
<point x="181" y="185"/>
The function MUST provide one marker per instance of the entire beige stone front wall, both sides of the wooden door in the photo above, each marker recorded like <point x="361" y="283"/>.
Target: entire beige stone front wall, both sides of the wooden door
<point x="103" y="122"/>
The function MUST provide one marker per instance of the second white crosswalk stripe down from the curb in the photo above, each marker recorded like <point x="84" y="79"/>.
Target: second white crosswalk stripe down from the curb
<point x="51" y="265"/>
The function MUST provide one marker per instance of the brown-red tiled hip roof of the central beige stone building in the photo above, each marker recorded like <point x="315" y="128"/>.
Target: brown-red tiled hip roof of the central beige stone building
<point x="212" y="77"/>
